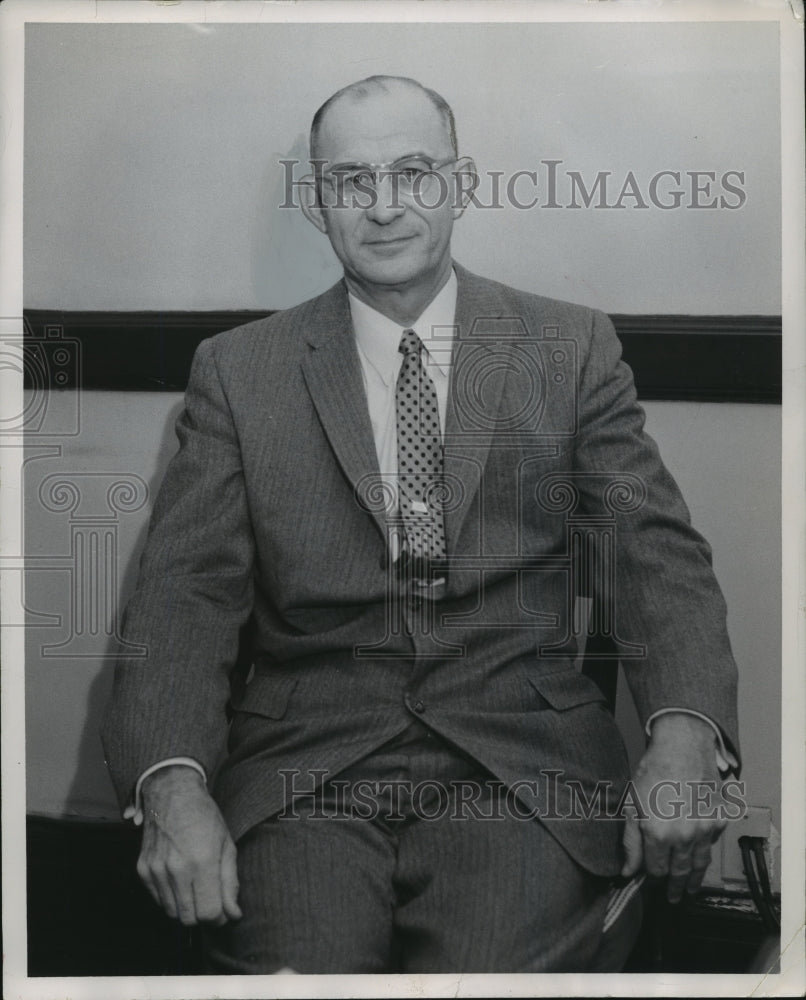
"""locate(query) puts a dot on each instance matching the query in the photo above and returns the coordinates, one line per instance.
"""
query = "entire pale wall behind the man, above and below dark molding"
(152, 180)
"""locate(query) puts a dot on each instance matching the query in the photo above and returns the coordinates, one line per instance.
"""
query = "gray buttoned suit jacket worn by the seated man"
(271, 512)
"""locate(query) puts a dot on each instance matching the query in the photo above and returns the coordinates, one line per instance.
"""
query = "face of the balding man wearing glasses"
(396, 242)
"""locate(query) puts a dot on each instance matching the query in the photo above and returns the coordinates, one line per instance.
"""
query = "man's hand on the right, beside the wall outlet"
(676, 778)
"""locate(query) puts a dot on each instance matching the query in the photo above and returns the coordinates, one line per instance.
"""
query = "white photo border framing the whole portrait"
(790, 981)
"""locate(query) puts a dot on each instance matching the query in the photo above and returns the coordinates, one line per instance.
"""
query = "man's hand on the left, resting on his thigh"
(187, 859)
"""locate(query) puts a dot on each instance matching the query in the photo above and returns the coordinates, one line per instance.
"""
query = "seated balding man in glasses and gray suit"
(380, 482)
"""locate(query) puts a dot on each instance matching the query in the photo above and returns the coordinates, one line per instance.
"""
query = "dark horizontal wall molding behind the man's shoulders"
(697, 358)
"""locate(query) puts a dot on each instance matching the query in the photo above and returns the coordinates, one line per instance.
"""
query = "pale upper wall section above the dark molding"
(152, 155)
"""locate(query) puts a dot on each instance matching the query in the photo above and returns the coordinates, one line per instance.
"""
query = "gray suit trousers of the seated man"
(415, 859)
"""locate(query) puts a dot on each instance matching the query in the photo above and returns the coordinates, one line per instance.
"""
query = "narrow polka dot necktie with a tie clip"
(419, 458)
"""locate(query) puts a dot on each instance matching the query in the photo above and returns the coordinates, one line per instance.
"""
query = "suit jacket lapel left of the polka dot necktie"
(332, 372)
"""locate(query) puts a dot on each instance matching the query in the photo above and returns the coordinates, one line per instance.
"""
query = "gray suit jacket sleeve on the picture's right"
(666, 597)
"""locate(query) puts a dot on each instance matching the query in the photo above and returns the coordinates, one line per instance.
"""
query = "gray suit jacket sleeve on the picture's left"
(194, 593)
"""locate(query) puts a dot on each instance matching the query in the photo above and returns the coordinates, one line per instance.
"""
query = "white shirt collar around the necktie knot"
(378, 337)
